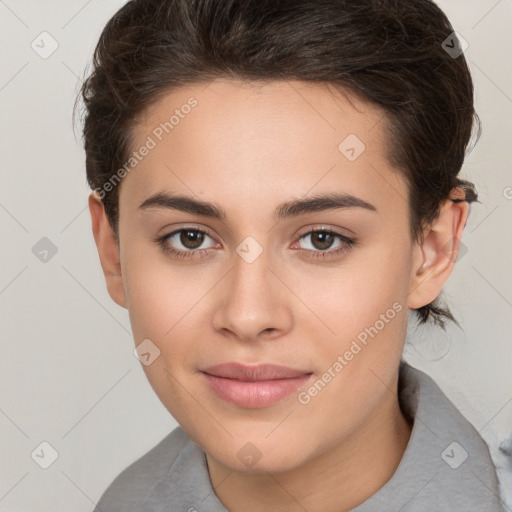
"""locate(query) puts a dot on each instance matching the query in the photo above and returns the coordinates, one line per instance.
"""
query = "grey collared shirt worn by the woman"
(445, 467)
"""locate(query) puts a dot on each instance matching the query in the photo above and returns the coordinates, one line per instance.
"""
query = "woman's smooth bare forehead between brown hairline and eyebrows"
(257, 142)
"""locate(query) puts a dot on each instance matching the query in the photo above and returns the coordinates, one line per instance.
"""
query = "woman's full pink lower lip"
(254, 394)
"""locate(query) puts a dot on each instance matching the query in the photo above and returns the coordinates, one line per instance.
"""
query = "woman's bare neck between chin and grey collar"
(338, 480)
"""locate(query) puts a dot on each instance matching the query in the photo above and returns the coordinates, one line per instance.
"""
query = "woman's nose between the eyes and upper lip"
(254, 303)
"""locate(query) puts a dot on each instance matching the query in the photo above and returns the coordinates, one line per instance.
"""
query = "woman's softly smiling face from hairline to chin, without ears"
(321, 287)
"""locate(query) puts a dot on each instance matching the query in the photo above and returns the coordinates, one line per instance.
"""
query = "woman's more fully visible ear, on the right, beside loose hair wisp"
(435, 257)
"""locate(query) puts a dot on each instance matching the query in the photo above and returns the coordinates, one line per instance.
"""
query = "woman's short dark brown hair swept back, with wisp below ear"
(392, 52)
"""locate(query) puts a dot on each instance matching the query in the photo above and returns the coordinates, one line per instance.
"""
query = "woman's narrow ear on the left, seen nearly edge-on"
(108, 250)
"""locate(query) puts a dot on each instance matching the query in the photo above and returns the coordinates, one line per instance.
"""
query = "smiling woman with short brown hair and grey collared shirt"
(275, 189)
